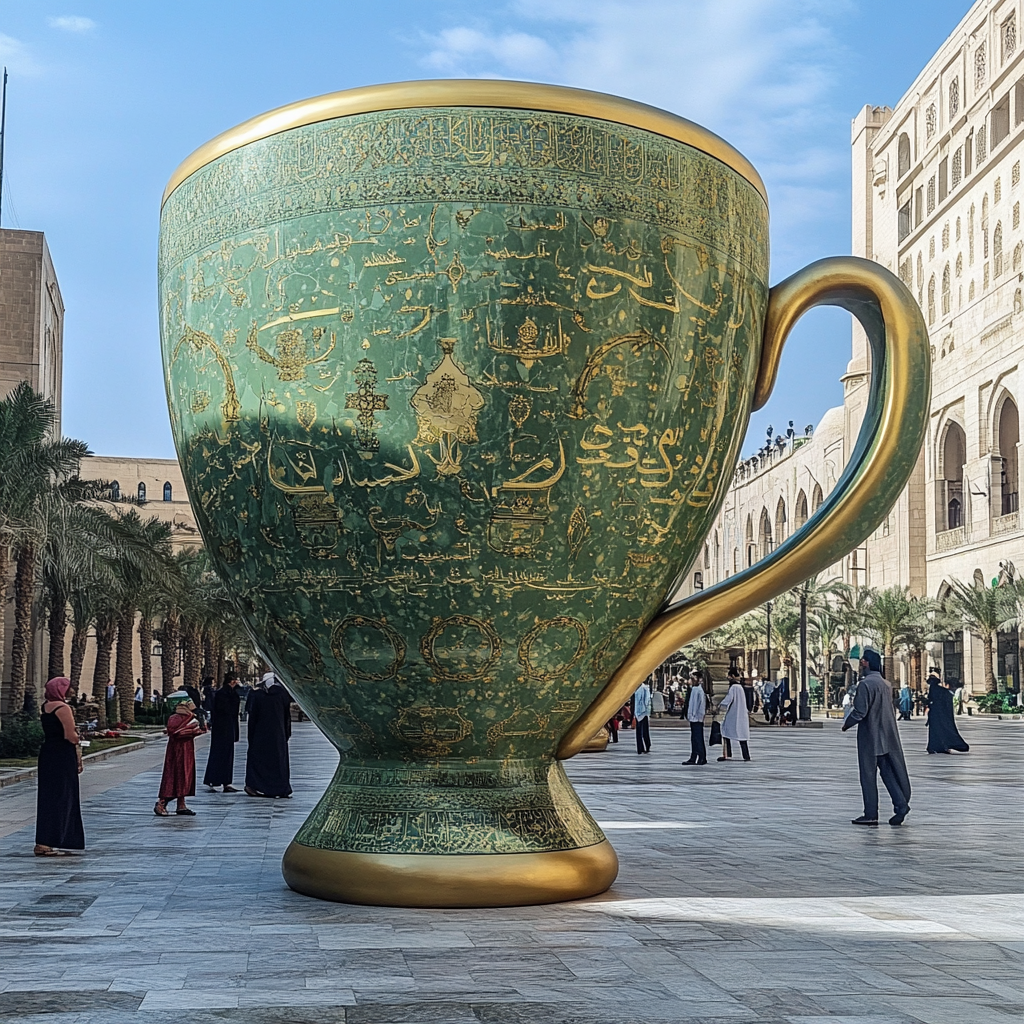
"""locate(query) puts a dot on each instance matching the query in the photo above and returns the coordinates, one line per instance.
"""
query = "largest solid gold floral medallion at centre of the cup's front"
(447, 408)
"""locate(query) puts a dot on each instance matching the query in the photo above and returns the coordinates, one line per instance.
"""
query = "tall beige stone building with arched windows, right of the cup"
(937, 196)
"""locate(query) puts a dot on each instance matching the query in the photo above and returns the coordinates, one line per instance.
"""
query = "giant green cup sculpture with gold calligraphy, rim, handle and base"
(458, 373)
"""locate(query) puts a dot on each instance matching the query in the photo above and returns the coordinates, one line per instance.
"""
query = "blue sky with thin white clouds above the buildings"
(107, 99)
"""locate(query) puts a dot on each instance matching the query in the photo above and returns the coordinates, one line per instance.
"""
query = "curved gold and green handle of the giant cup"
(887, 449)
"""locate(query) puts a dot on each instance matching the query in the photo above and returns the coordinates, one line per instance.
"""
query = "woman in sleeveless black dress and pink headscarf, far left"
(59, 813)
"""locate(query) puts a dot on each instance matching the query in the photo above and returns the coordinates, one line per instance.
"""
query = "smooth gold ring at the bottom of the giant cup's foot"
(452, 880)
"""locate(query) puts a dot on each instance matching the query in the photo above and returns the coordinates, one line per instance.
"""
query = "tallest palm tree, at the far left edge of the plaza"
(31, 461)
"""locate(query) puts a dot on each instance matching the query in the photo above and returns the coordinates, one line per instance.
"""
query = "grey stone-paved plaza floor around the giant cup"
(744, 895)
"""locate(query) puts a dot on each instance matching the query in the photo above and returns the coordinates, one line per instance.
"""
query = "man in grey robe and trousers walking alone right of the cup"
(879, 749)
